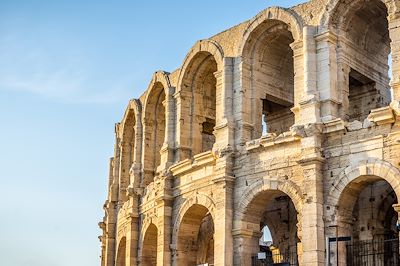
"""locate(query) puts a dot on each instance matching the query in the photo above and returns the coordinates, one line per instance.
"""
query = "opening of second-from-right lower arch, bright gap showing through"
(271, 218)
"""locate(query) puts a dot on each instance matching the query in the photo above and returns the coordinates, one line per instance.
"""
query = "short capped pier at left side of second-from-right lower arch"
(246, 244)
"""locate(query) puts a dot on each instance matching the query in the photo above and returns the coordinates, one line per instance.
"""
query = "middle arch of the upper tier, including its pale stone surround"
(196, 97)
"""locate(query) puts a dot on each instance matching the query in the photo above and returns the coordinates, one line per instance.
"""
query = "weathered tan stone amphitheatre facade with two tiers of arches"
(290, 120)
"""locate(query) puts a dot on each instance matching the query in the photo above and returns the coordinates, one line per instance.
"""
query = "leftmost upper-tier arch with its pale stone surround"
(130, 131)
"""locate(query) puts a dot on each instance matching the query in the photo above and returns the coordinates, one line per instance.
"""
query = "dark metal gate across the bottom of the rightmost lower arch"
(373, 253)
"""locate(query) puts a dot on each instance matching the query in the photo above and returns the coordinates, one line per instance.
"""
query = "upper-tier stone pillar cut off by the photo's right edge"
(394, 32)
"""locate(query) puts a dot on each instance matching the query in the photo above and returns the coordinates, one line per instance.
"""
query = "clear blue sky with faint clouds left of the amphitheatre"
(67, 71)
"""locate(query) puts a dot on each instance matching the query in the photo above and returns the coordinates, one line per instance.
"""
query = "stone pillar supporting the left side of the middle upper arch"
(183, 101)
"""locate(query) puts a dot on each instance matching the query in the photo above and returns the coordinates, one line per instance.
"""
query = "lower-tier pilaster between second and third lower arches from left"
(164, 212)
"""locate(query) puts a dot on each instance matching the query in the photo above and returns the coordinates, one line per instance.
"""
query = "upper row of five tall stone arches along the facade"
(178, 123)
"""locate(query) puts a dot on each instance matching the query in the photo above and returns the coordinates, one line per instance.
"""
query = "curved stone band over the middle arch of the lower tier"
(198, 199)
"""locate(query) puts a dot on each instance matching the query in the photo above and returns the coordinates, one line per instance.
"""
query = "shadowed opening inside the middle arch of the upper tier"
(200, 84)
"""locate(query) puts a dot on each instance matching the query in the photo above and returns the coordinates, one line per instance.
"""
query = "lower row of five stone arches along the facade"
(360, 203)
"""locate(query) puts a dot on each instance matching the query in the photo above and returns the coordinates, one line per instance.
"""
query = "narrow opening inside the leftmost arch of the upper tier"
(127, 152)
